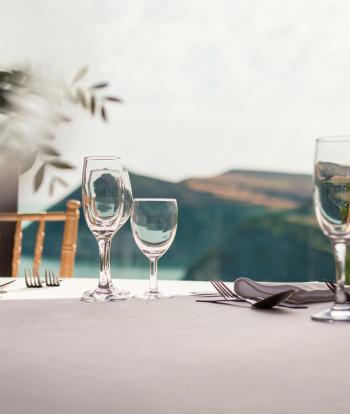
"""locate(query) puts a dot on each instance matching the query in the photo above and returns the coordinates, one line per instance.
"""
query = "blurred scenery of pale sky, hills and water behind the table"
(222, 103)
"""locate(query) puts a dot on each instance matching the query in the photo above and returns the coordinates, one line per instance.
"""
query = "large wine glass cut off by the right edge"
(332, 207)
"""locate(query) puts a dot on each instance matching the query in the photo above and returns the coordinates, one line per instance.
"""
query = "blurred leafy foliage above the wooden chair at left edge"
(21, 91)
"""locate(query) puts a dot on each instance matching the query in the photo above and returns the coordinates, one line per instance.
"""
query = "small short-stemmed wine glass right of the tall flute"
(154, 224)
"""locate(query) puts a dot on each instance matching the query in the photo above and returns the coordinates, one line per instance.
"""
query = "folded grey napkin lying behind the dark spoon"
(308, 292)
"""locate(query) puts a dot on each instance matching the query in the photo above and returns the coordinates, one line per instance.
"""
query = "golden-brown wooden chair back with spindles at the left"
(69, 241)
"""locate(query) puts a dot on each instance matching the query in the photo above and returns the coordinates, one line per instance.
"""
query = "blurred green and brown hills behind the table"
(242, 222)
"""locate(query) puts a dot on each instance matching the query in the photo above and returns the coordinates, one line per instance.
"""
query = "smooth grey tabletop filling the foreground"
(169, 356)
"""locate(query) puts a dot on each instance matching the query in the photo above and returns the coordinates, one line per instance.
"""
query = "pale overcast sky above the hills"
(208, 85)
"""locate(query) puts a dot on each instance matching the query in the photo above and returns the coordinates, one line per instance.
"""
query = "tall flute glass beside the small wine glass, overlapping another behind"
(103, 198)
